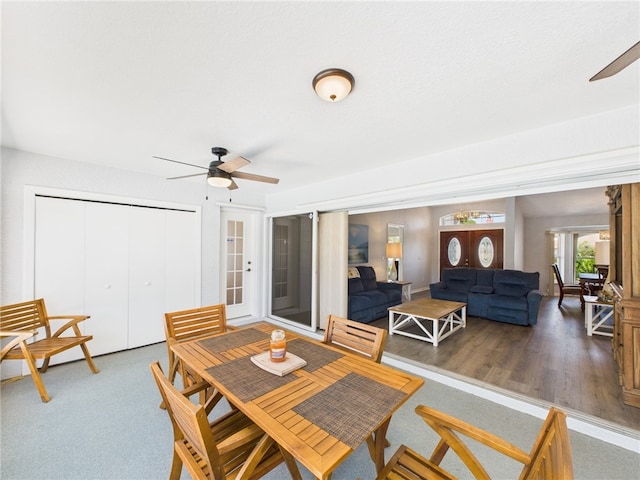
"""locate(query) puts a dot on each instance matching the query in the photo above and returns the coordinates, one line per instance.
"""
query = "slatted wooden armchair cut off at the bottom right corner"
(549, 459)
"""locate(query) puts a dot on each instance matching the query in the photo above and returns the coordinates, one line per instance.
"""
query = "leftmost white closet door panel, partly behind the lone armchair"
(59, 263)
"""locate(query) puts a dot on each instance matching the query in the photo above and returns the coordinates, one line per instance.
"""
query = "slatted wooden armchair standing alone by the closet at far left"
(21, 321)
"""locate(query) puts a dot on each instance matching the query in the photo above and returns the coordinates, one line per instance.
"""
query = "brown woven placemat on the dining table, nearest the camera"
(350, 408)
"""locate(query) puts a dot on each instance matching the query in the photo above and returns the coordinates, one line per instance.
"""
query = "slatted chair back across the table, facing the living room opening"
(356, 337)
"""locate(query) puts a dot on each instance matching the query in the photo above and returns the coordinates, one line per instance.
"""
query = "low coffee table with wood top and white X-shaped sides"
(444, 317)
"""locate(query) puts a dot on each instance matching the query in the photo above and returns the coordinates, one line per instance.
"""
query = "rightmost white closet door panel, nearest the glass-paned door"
(181, 256)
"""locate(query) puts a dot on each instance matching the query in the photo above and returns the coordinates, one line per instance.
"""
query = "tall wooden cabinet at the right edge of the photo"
(625, 274)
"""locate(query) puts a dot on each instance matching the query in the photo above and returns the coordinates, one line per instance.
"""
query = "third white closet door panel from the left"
(146, 276)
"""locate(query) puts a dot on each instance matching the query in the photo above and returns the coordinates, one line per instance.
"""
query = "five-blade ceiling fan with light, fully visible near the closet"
(220, 173)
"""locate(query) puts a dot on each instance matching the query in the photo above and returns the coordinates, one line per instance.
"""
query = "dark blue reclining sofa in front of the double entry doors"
(509, 296)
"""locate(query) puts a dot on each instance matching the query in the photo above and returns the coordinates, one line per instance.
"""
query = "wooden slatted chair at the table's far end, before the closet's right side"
(187, 325)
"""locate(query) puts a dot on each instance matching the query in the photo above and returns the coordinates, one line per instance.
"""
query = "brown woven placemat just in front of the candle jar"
(246, 380)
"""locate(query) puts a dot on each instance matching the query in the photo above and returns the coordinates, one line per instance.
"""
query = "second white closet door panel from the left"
(107, 283)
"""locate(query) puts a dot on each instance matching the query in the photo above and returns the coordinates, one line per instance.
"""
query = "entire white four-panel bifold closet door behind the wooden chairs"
(123, 265)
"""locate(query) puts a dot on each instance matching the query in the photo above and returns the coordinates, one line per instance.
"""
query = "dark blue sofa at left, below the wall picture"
(369, 299)
